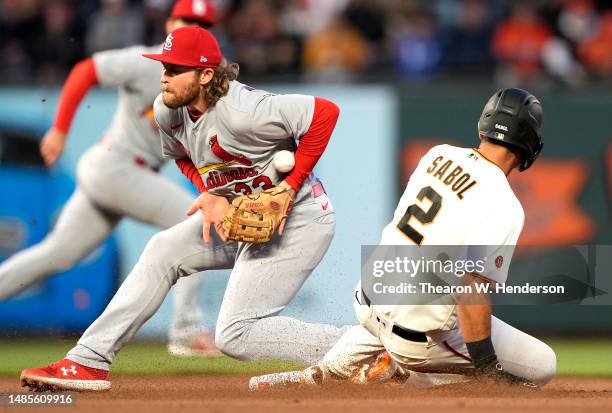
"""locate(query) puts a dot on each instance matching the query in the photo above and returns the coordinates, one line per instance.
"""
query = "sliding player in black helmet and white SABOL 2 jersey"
(456, 196)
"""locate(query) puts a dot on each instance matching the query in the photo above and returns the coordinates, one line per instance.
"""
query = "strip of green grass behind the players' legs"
(575, 358)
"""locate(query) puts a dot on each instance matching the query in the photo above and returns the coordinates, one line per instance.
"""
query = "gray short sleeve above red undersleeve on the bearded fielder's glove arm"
(277, 117)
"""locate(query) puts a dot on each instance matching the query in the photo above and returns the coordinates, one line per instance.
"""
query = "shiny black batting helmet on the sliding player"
(513, 117)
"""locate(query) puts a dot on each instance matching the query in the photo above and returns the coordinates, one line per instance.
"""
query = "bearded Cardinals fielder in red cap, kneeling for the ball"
(225, 133)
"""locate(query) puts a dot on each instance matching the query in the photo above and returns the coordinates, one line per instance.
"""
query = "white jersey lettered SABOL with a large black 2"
(455, 196)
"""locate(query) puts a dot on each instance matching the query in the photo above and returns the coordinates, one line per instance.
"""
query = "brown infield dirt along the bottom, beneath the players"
(230, 394)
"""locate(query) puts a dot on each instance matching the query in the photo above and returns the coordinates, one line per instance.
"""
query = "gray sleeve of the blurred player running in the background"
(121, 66)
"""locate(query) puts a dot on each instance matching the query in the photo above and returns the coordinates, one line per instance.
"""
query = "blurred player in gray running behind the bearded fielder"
(116, 178)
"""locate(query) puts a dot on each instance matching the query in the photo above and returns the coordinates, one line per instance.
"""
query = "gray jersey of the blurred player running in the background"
(138, 81)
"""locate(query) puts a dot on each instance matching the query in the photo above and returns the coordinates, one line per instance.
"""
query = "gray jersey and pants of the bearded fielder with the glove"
(232, 146)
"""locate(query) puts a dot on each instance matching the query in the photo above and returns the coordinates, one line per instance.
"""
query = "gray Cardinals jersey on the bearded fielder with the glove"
(233, 143)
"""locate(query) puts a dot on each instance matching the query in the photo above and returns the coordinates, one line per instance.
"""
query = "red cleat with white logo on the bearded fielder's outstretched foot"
(65, 375)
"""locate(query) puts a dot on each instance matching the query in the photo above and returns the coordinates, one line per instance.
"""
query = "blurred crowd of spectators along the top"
(556, 43)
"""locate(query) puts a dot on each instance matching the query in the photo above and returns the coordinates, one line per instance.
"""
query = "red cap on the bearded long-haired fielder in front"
(190, 46)
